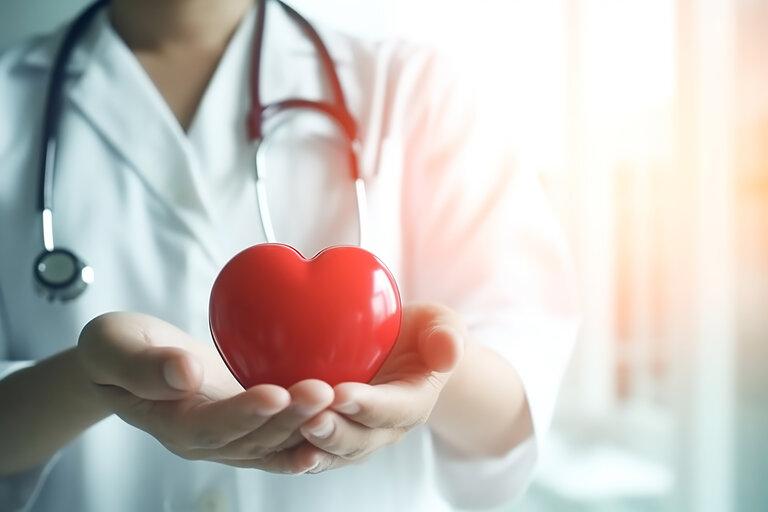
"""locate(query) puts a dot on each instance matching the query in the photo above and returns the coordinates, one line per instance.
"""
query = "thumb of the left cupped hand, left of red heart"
(118, 353)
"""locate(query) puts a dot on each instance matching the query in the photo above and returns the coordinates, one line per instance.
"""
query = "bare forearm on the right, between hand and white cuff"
(482, 411)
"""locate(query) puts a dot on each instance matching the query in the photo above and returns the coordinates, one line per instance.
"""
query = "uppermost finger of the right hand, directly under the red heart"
(394, 405)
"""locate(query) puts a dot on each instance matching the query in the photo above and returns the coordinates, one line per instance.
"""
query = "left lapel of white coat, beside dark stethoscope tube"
(118, 98)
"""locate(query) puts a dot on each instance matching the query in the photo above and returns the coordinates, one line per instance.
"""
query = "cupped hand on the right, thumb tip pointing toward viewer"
(365, 417)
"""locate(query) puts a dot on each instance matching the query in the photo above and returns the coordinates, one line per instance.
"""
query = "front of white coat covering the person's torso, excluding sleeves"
(157, 215)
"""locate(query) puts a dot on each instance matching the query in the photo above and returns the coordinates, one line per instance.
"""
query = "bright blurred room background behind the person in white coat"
(648, 122)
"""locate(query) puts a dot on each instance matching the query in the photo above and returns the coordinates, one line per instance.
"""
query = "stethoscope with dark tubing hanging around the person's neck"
(59, 273)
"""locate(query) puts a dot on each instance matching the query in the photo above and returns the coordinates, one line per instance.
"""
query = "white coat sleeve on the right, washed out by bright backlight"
(481, 239)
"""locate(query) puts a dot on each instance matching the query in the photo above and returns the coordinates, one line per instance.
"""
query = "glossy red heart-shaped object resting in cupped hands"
(278, 318)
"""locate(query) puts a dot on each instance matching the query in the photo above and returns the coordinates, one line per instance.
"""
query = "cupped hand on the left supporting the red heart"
(159, 379)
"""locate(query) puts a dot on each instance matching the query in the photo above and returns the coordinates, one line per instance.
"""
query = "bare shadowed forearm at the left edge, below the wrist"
(42, 408)
